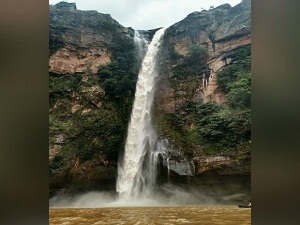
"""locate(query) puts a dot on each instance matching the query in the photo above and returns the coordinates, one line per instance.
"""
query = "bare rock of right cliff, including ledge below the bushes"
(222, 31)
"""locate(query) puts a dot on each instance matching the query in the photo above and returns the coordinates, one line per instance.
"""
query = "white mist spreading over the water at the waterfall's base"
(165, 195)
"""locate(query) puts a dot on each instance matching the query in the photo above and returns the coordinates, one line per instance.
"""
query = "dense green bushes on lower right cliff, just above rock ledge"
(214, 127)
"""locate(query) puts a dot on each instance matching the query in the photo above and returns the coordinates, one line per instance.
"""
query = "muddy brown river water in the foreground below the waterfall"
(200, 215)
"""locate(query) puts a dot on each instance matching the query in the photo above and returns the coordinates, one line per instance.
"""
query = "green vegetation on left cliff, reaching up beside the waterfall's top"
(93, 115)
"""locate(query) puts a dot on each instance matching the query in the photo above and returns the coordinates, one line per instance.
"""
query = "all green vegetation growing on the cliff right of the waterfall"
(212, 127)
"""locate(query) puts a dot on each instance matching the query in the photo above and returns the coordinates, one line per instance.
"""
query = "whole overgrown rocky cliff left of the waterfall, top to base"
(80, 42)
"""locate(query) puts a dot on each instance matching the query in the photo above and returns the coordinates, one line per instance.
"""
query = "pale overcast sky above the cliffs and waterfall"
(147, 14)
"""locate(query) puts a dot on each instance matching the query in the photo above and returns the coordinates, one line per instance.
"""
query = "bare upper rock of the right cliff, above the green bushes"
(221, 31)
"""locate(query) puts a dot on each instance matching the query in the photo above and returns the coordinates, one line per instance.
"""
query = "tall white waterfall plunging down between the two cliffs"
(137, 169)
